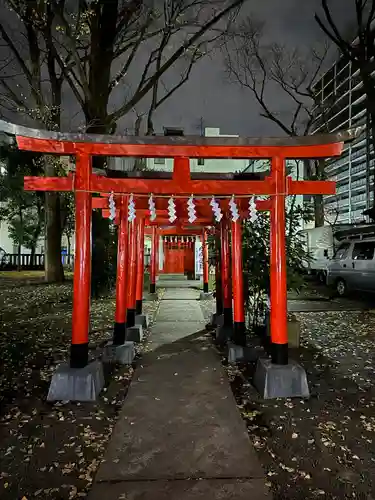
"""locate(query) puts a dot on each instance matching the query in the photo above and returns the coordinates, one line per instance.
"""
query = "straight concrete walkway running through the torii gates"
(179, 435)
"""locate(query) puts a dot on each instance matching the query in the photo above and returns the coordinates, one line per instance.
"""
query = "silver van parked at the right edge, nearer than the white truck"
(353, 265)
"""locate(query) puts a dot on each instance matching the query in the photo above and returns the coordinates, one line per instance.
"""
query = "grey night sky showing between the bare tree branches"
(208, 96)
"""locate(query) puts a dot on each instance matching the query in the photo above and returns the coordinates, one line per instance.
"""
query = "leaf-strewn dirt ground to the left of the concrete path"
(50, 451)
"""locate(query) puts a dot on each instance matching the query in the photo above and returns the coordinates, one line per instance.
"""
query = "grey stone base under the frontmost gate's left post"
(77, 384)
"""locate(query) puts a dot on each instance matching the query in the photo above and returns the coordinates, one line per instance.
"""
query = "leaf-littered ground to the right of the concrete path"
(322, 447)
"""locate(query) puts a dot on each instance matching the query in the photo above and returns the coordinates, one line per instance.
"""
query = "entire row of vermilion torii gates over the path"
(181, 185)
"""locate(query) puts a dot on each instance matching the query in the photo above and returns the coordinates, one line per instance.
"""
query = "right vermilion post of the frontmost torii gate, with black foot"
(279, 329)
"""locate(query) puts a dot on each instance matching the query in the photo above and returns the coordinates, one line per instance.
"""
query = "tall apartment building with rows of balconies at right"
(340, 105)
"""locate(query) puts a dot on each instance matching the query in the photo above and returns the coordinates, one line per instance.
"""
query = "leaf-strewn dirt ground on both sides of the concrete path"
(323, 447)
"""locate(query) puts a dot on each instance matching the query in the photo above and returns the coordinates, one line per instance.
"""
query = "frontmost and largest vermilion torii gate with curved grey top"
(277, 185)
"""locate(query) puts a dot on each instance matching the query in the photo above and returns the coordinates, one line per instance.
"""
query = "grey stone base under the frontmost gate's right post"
(281, 381)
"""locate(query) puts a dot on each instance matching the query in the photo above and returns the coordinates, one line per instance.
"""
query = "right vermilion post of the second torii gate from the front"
(239, 330)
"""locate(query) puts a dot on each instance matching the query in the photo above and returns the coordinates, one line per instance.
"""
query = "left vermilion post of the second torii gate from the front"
(119, 331)
